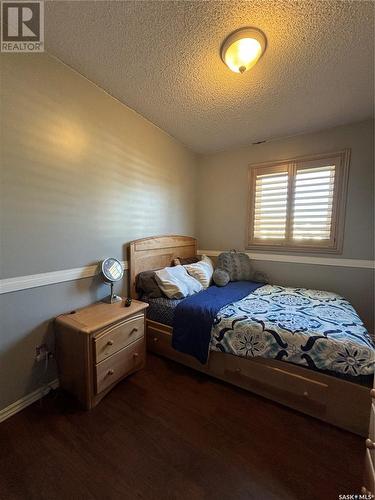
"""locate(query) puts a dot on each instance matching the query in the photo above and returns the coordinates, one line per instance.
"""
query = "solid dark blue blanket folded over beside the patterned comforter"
(195, 315)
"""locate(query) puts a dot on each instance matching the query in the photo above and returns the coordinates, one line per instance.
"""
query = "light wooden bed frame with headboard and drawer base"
(336, 401)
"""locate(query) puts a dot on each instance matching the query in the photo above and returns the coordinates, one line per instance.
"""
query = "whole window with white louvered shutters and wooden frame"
(299, 204)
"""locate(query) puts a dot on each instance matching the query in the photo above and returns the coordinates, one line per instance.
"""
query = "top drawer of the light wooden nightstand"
(112, 340)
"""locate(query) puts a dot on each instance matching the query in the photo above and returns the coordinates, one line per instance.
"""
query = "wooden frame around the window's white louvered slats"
(335, 243)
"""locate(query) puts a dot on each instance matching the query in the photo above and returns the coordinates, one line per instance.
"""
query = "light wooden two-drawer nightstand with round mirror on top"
(98, 346)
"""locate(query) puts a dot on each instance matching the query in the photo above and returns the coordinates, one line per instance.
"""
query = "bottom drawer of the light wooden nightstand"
(110, 370)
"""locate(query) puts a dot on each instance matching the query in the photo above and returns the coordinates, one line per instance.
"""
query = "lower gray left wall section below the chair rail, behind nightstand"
(26, 321)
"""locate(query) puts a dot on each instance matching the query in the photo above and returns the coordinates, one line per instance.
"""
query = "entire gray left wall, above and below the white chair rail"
(82, 175)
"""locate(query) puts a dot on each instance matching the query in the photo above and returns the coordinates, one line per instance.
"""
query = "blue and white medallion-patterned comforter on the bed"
(312, 328)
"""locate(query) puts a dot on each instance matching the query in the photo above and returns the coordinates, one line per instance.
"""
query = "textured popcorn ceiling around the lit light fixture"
(162, 59)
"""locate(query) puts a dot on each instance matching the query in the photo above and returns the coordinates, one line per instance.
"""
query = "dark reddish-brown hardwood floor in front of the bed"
(170, 433)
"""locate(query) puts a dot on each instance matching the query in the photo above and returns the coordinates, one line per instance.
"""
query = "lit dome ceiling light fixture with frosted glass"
(243, 48)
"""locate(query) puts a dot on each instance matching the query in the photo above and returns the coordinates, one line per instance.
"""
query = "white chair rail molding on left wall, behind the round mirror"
(18, 283)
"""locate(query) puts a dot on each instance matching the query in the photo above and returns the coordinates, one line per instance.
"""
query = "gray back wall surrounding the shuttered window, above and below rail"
(222, 210)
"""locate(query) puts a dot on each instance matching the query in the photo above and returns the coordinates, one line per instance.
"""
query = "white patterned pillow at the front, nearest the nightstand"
(176, 283)
